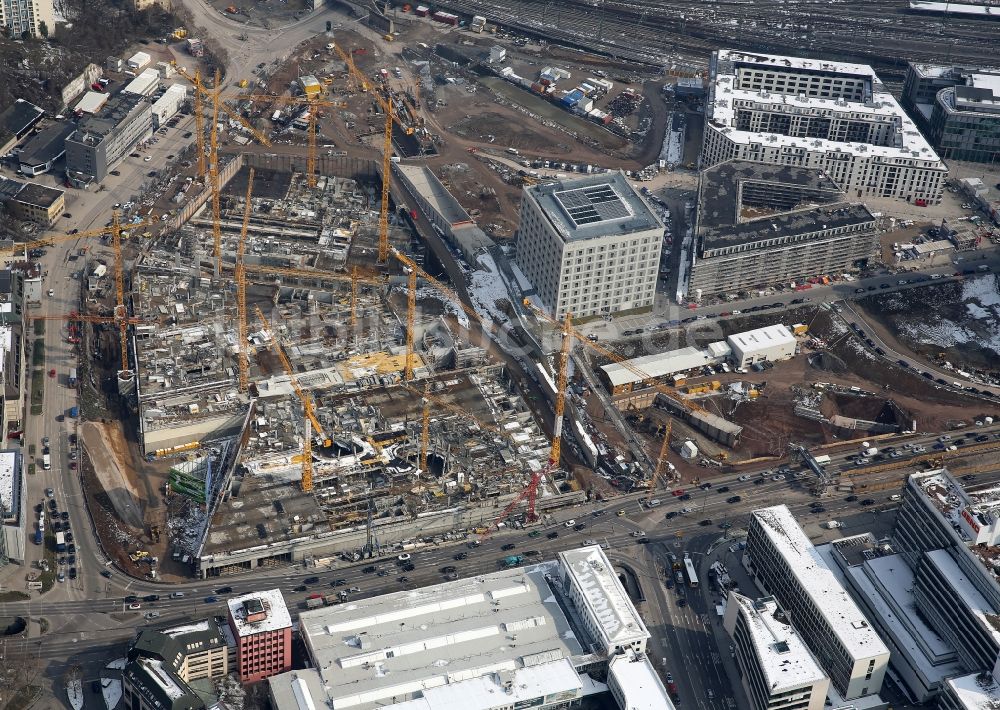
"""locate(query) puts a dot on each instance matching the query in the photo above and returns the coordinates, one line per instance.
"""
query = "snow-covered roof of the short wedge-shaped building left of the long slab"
(782, 657)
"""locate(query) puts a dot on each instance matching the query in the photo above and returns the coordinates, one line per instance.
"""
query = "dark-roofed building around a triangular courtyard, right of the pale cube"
(759, 225)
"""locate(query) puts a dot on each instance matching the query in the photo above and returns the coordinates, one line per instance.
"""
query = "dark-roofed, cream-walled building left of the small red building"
(161, 664)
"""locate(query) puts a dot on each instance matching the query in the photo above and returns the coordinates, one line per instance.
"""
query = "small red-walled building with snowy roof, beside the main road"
(263, 629)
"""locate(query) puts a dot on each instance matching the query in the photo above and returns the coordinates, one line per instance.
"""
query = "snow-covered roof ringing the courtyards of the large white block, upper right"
(909, 143)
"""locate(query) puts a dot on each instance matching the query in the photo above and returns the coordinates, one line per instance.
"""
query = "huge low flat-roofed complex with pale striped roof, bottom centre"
(519, 637)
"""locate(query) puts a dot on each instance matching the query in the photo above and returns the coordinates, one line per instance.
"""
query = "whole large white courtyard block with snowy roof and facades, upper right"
(811, 113)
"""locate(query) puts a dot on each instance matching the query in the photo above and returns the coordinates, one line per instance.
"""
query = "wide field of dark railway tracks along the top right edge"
(662, 32)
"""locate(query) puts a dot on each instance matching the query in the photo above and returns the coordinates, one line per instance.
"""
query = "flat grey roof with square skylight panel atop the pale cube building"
(594, 206)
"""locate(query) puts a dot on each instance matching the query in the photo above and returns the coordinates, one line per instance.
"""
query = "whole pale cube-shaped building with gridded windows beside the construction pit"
(589, 245)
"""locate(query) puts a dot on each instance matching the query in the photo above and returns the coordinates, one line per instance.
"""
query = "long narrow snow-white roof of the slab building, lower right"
(816, 579)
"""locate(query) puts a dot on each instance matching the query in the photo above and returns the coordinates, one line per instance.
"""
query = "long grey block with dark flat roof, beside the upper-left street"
(101, 141)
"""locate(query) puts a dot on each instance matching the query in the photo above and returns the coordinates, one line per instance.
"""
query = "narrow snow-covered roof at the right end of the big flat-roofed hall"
(604, 598)
